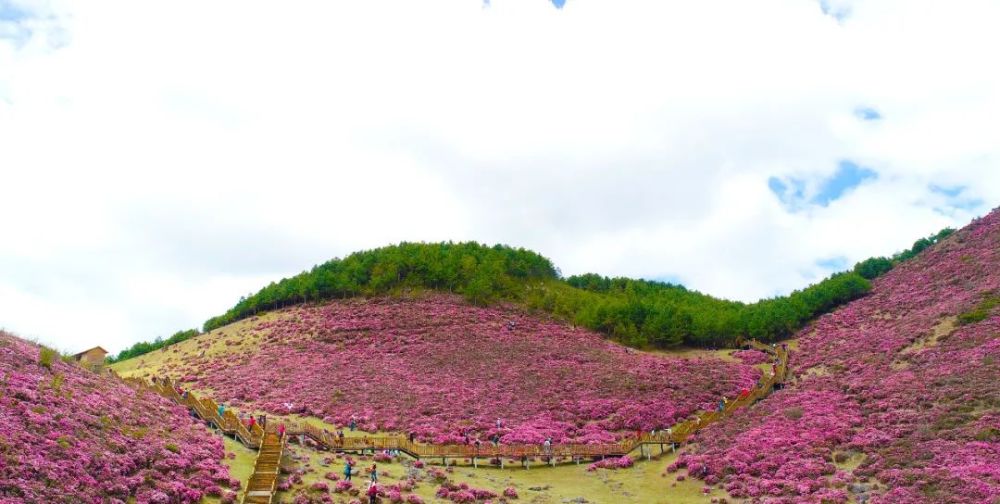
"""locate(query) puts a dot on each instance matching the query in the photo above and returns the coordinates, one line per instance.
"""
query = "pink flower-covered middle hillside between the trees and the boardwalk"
(439, 368)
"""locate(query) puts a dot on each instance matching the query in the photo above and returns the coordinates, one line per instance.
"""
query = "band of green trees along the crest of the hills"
(639, 313)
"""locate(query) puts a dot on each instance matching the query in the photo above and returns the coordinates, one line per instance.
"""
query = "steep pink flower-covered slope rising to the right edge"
(900, 383)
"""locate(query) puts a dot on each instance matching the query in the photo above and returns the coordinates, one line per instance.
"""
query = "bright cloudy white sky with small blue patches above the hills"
(160, 159)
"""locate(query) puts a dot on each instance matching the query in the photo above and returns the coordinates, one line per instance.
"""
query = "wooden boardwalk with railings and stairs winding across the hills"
(262, 484)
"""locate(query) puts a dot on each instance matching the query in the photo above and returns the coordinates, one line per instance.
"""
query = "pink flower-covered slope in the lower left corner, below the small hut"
(70, 435)
